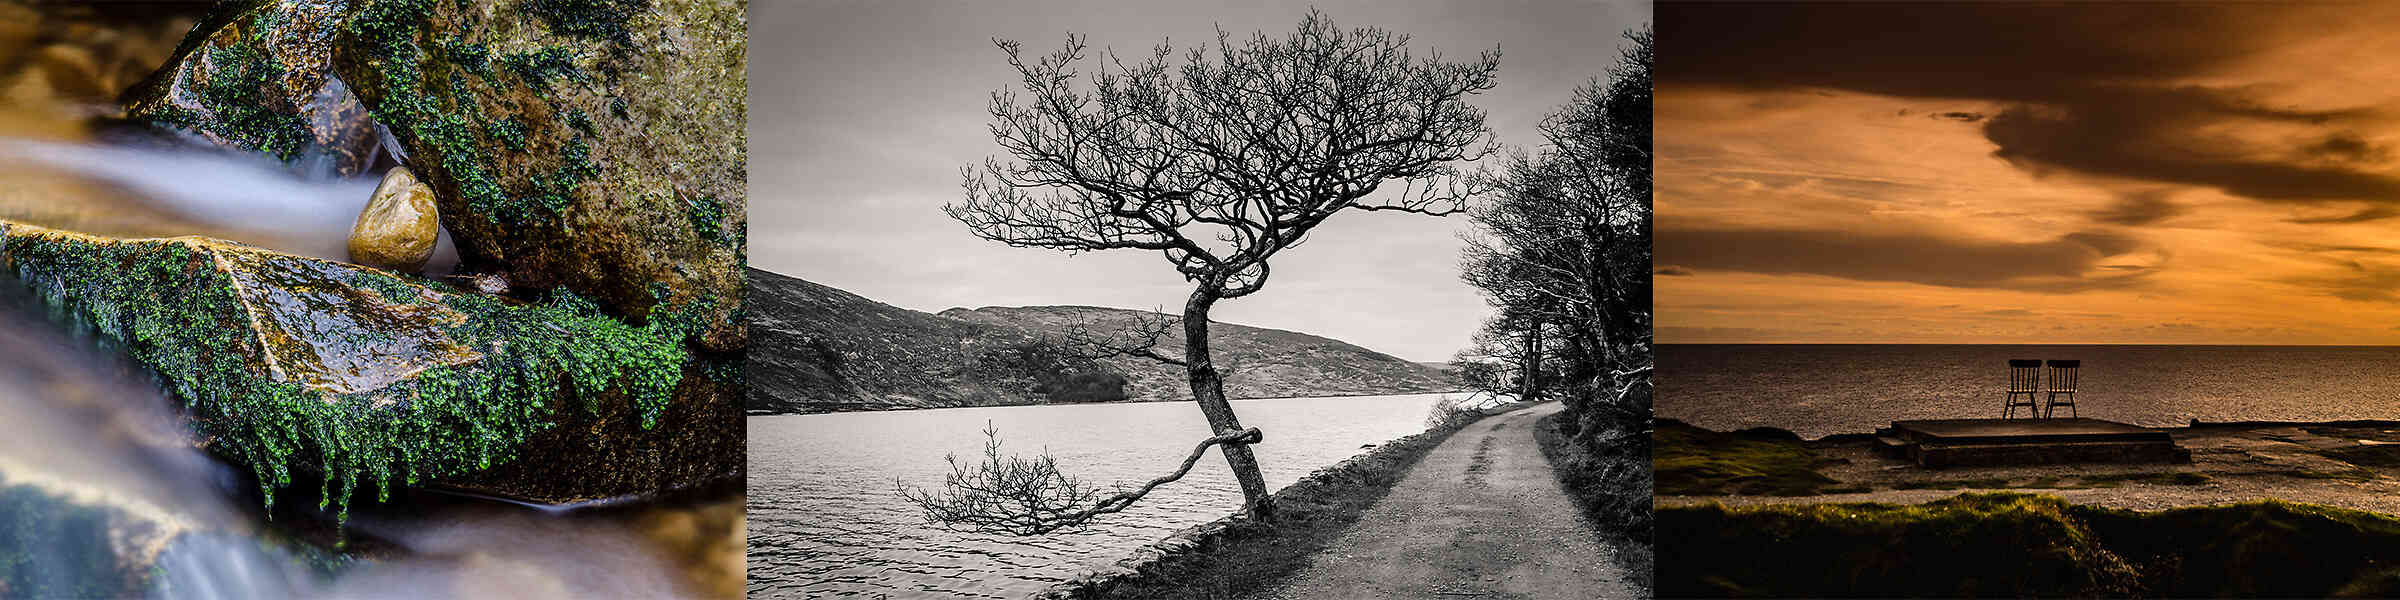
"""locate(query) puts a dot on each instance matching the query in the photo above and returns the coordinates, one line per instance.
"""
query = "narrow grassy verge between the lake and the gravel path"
(1252, 558)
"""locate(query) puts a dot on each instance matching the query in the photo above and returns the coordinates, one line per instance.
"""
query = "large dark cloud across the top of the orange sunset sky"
(2096, 90)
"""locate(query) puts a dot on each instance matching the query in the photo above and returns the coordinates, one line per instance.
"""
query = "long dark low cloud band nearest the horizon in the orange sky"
(2070, 263)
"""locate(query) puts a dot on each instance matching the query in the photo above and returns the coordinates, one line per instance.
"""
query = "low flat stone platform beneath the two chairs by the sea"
(2027, 443)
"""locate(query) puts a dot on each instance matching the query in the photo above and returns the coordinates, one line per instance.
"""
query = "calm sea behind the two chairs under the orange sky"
(1830, 390)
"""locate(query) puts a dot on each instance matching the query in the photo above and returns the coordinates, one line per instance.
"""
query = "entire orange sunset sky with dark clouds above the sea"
(2029, 174)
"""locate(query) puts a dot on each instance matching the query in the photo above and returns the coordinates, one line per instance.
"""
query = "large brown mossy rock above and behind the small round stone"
(587, 145)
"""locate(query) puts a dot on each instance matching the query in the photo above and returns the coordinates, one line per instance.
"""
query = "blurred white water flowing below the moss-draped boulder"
(80, 426)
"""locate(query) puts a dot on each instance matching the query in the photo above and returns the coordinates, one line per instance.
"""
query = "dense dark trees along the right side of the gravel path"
(1566, 253)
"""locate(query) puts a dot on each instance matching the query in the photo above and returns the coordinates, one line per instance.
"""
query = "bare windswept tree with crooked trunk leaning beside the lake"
(1218, 162)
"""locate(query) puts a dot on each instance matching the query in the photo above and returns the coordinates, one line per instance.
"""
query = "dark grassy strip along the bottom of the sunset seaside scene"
(2010, 544)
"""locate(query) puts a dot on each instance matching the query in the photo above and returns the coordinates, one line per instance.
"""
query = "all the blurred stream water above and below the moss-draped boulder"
(104, 491)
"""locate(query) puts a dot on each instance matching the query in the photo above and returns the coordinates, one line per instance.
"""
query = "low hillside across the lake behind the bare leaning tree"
(820, 349)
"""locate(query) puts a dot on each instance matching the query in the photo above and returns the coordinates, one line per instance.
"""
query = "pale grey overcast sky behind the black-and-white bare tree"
(863, 116)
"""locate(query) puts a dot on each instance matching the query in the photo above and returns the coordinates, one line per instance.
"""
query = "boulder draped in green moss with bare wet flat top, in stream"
(373, 380)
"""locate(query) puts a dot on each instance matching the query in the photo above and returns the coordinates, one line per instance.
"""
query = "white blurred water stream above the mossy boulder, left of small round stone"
(308, 215)
